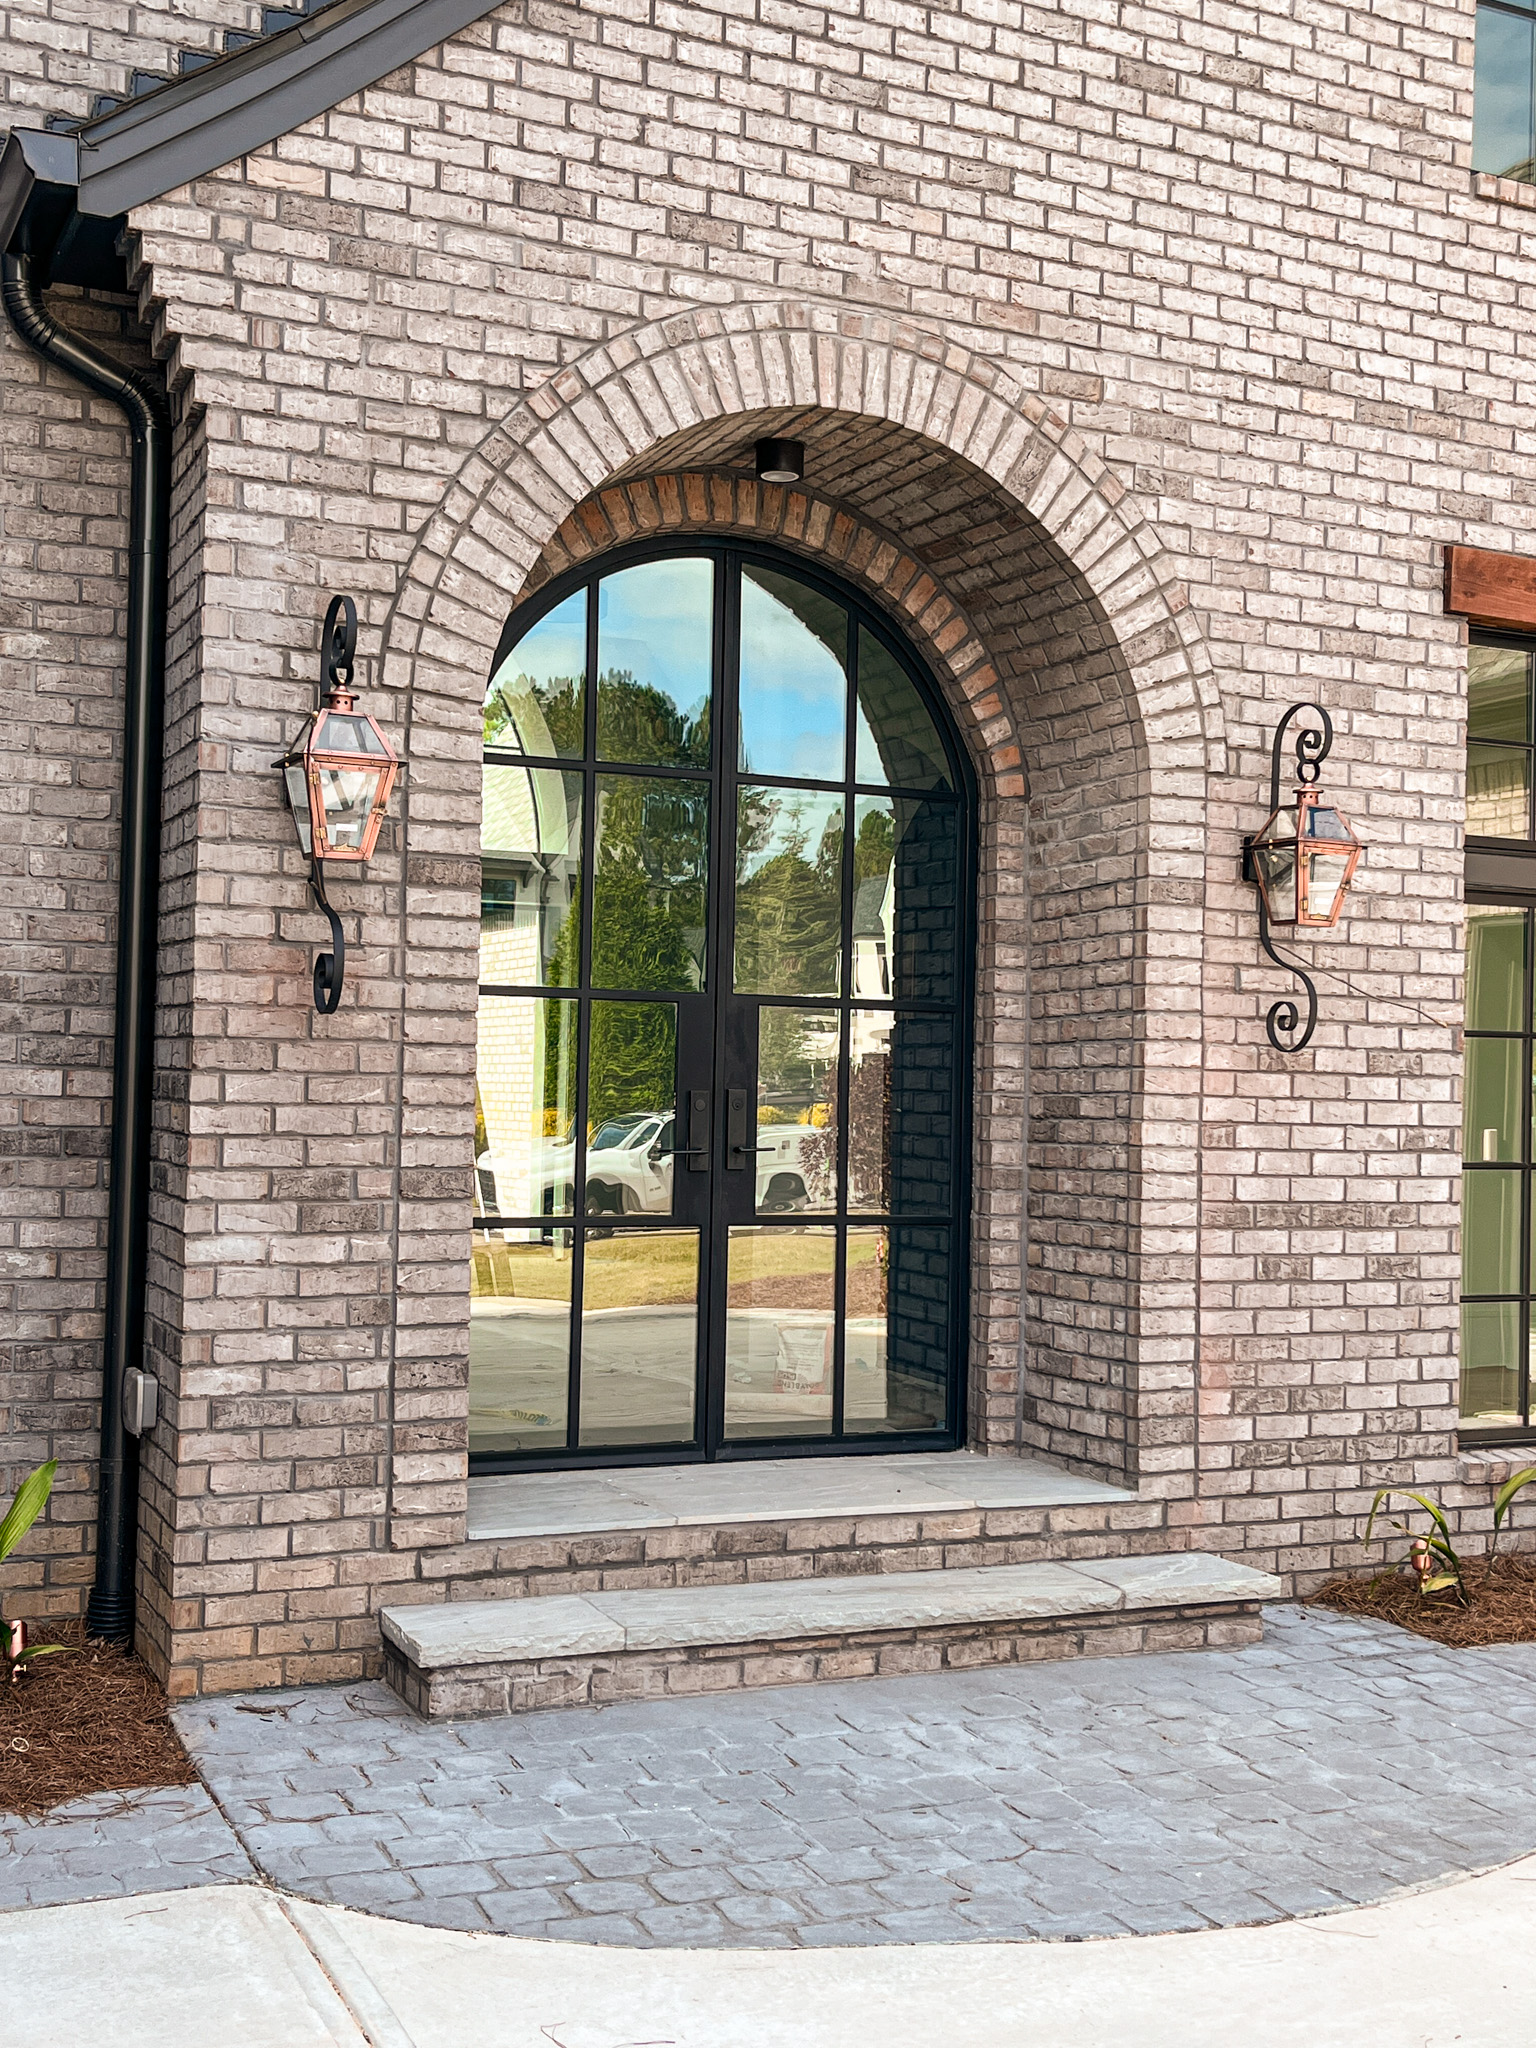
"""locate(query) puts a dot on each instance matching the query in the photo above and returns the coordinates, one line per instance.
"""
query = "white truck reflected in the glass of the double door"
(630, 1172)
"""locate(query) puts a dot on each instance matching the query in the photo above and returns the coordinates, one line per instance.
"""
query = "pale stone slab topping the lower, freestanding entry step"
(472, 1633)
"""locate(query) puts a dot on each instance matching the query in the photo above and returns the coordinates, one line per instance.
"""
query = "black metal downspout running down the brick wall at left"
(112, 1598)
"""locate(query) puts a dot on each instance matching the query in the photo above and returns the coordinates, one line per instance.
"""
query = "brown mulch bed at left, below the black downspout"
(87, 1721)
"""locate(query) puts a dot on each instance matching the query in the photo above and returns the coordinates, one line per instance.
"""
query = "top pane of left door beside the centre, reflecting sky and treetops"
(656, 656)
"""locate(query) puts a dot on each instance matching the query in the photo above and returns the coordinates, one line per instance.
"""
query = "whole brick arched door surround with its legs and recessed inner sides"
(1117, 1283)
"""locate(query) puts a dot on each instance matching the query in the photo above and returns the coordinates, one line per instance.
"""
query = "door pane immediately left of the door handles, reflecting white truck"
(630, 1097)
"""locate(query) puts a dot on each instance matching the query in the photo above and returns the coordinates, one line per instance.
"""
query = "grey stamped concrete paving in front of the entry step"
(1332, 1764)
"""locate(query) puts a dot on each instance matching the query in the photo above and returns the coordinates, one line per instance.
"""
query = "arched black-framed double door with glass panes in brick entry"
(724, 1025)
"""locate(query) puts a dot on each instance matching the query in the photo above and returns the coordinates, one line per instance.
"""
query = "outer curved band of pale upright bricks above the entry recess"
(558, 450)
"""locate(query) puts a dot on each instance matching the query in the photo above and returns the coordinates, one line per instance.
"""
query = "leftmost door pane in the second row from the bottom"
(525, 1107)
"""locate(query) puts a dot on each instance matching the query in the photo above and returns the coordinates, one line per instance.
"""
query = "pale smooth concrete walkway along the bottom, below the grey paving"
(239, 1967)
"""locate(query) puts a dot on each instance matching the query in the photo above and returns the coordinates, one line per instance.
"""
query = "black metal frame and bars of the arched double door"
(728, 1013)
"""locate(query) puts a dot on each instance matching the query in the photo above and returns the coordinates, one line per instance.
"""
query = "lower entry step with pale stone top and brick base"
(587, 1650)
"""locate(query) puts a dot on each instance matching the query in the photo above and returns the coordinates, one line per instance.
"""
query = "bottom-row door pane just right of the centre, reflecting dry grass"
(779, 1332)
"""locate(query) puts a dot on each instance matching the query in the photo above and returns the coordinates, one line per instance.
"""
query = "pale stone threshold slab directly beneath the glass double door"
(517, 1506)
